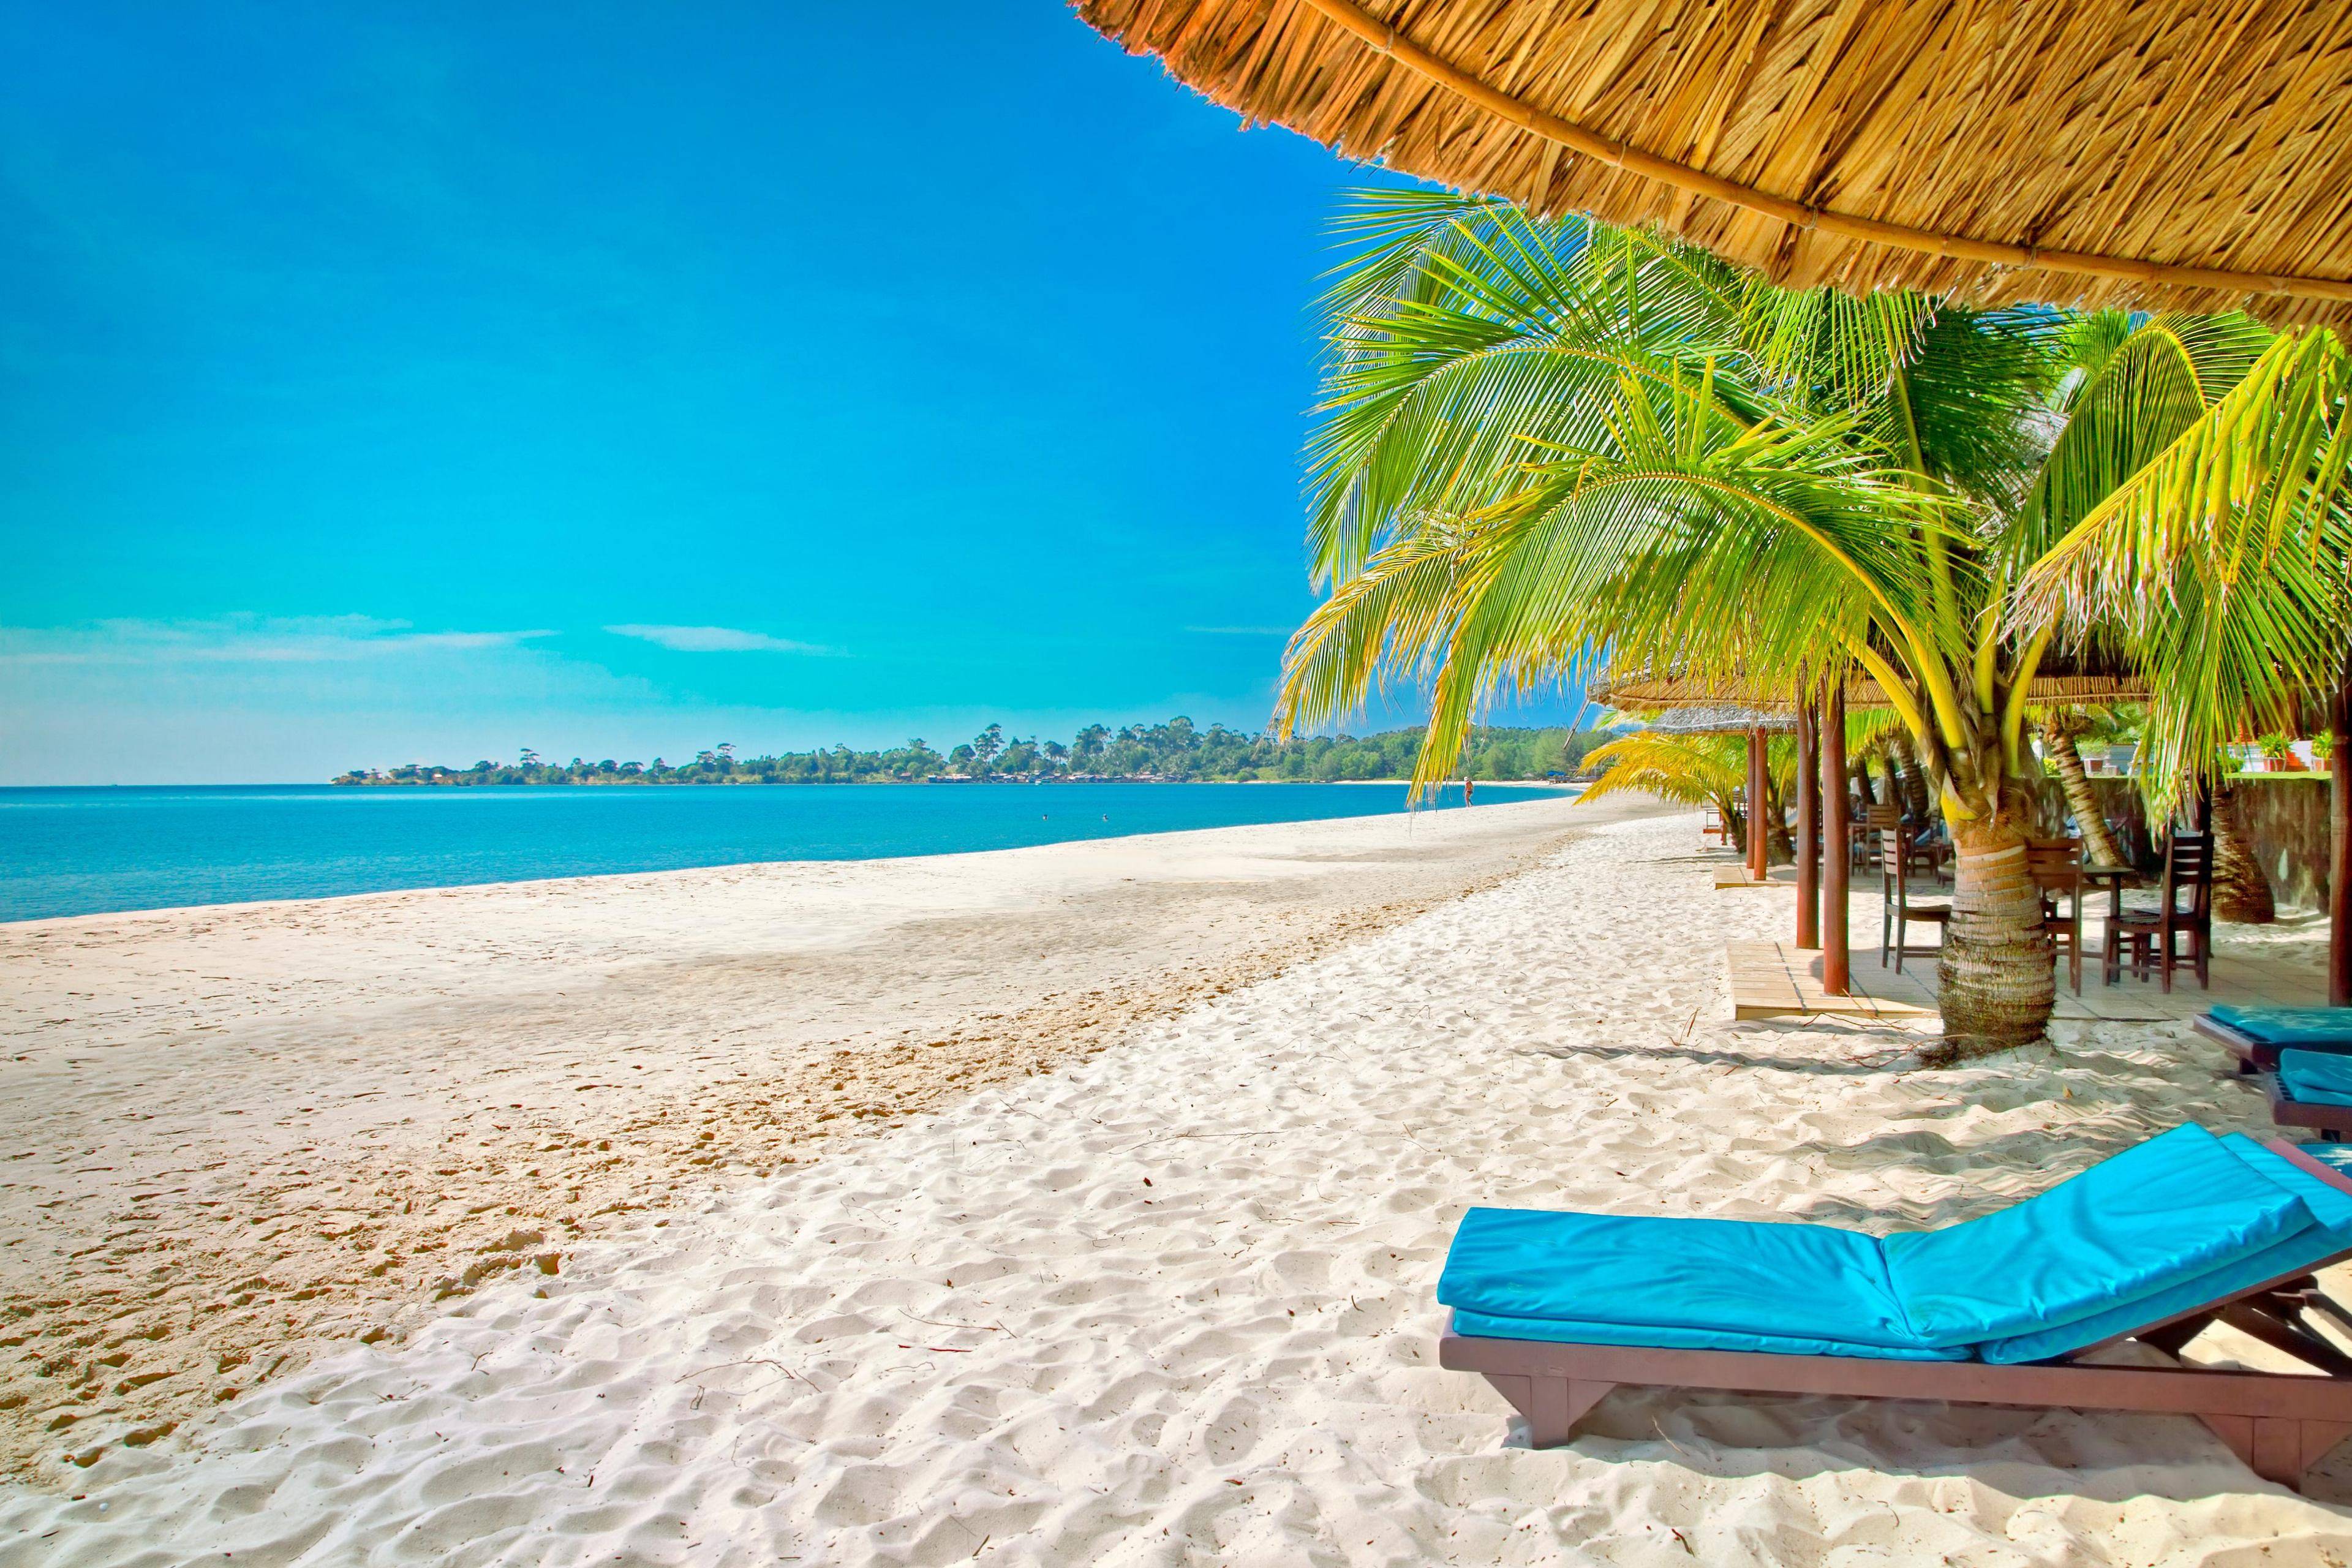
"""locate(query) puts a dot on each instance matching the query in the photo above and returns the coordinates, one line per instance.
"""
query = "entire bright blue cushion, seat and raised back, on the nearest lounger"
(2149, 1235)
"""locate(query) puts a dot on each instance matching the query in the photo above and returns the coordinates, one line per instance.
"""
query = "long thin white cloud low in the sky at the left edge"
(265, 641)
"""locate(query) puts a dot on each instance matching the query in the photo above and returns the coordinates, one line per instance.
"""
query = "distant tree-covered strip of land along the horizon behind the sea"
(1140, 753)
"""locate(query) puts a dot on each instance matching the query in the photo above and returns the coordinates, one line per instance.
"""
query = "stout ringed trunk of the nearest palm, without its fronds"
(1998, 970)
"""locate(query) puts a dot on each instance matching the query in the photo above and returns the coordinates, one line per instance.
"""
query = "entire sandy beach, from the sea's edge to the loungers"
(1161, 1299)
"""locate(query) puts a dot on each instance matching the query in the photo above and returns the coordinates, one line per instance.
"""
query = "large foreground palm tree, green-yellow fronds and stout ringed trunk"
(1551, 438)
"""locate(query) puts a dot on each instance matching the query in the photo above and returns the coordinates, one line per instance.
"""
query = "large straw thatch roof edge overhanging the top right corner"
(2153, 154)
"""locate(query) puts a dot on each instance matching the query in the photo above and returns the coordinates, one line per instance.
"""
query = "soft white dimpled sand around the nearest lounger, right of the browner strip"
(1172, 1306)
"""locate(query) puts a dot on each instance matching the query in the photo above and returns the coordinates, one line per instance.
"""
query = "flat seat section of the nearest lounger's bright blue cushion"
(1735, 1278)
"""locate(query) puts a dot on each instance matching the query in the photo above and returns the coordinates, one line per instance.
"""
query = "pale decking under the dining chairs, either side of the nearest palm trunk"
(1779, 979)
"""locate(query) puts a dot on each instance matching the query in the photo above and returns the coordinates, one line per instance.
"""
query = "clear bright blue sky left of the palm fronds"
(432, 382)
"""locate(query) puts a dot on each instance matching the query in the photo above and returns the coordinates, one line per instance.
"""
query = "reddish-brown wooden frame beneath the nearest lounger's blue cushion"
(2280, 1423)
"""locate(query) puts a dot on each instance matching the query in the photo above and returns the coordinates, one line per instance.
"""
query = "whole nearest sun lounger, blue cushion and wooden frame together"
(2153, 1245)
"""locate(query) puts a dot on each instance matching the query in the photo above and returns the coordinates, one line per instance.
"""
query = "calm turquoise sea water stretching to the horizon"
(88, 852)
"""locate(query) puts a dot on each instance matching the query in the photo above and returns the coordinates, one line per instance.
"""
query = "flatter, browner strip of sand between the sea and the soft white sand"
(248, 1134)
